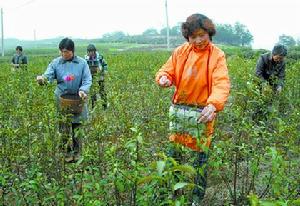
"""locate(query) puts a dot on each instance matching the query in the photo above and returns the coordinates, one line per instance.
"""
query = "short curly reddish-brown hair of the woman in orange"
(195, 22)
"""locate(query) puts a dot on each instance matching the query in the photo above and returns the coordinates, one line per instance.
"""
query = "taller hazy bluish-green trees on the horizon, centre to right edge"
(237, 35)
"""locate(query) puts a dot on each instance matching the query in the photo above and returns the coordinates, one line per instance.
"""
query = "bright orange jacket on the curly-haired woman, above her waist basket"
(200, 76)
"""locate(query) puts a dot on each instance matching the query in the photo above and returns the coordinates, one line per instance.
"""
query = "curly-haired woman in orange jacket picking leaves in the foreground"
(198, 71)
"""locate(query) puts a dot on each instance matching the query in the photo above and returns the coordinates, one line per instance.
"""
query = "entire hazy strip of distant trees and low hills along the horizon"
(227, 34)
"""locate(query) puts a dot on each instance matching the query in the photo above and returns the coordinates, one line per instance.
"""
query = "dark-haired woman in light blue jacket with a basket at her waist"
(73, 77)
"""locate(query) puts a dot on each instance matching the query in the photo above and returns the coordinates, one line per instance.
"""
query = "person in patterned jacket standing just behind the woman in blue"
(94, 59)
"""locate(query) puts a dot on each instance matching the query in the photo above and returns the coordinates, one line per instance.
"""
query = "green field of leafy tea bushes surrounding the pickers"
(254, 161)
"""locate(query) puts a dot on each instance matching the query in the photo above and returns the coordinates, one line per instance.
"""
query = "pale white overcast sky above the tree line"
(266, 19)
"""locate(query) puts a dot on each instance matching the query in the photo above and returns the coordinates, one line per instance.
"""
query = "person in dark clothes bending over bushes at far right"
(270, 68)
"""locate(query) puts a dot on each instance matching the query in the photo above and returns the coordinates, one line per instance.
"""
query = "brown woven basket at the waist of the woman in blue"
(71, 103)
